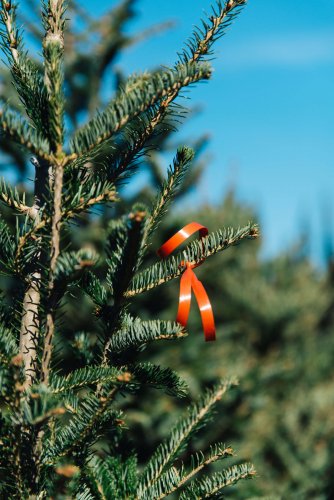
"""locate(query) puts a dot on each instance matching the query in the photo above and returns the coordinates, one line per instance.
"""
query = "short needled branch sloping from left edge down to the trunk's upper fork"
(15, 127)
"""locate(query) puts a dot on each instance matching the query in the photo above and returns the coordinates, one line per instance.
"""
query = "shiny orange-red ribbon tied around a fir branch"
(189, 282)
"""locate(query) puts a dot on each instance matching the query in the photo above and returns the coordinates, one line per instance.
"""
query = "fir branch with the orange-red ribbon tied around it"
(195, 252)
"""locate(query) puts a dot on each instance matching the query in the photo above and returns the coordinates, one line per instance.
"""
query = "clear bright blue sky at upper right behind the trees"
(269, 108)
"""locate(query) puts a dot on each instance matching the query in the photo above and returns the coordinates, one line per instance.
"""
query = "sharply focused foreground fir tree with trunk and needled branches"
(63, 431)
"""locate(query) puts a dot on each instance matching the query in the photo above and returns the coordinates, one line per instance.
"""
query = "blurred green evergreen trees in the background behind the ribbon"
(276, 333)
